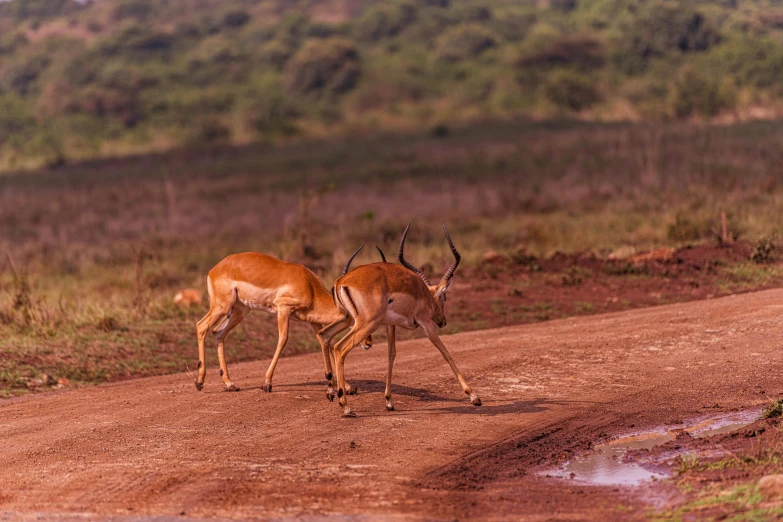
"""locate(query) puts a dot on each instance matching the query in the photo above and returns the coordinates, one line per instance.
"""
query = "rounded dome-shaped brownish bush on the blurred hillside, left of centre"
(328, 66)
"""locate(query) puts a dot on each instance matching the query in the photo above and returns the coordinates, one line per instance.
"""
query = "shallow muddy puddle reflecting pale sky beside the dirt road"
(607, 467)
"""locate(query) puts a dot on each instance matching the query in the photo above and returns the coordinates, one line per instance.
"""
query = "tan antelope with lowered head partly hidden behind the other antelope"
(251, 281)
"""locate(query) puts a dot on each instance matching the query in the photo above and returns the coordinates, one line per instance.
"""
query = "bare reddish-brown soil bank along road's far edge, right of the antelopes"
(524, 289)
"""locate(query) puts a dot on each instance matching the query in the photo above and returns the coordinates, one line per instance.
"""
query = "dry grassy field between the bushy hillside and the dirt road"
(92, 254)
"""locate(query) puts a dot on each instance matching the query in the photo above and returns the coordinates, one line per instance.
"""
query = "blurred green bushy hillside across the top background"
(113, 77)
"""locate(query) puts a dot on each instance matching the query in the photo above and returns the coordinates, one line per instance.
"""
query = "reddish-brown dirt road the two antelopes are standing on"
(157, 449)
